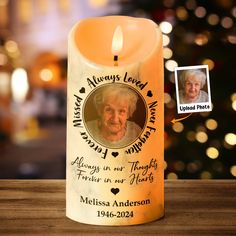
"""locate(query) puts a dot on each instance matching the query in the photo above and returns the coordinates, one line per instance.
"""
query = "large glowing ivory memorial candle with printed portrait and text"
(115, 122)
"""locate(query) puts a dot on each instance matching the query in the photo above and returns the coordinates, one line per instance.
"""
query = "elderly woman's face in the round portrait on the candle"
(115, 112)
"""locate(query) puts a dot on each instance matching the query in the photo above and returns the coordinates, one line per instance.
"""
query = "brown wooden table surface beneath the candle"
(192, 207)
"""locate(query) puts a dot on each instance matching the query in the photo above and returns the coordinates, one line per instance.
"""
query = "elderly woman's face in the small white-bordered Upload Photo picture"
(192, 88)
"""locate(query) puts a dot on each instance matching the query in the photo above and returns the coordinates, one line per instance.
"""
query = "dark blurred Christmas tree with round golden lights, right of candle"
(196, 33)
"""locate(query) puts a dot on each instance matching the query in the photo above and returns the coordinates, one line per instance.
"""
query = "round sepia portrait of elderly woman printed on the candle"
(115, 115)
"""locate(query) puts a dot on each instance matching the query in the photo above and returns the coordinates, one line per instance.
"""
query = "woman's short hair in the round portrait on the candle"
(119, 91)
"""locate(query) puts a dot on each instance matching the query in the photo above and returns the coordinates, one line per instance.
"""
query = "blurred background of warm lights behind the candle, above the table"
(34, 37)
